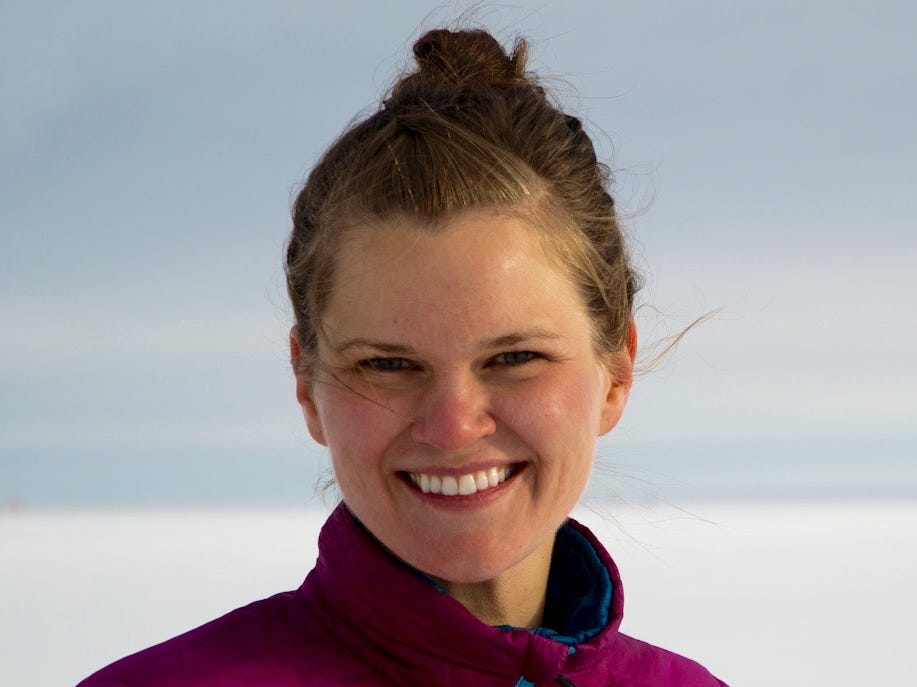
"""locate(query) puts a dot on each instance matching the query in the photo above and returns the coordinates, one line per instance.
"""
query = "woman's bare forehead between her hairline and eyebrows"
(478, 273)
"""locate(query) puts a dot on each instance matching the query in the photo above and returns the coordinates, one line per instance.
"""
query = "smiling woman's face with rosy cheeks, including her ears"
(459, 393)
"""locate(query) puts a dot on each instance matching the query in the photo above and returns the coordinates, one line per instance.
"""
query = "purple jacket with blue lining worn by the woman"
(364, 618)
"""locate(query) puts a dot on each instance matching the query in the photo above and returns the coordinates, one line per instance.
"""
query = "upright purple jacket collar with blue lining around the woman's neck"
(404, 626)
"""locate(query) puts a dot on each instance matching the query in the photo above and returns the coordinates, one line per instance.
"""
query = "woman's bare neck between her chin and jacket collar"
(516, 597)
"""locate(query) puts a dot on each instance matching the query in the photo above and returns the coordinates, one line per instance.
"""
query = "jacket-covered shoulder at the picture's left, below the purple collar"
(278, 641)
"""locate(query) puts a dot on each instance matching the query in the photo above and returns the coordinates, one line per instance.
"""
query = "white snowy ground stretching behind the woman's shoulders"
(796, 595)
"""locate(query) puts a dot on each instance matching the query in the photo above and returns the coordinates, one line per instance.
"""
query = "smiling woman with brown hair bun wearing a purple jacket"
(464, 333)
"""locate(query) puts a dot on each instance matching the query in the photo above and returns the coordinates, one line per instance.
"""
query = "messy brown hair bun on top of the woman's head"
(469, 55)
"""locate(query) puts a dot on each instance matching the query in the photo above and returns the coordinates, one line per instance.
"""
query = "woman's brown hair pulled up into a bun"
(468, 130)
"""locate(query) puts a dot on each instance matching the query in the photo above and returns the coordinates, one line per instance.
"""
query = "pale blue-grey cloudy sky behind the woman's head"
(149, 153)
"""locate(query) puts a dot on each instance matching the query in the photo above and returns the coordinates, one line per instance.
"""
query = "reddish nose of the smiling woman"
(453, 412)
